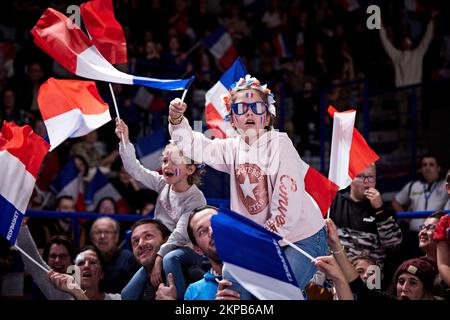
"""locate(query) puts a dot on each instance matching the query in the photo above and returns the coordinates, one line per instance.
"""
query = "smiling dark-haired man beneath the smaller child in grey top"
(147, 236)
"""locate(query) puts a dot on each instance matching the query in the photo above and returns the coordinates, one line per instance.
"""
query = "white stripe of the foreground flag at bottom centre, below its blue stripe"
(273, 289)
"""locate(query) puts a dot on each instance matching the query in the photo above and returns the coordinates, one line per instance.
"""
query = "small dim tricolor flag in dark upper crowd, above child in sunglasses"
(221, 46)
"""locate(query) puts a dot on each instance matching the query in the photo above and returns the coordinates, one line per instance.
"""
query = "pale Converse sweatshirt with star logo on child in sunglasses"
(266, 178)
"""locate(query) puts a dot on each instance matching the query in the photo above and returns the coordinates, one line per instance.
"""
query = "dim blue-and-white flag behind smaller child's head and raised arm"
(149, 149)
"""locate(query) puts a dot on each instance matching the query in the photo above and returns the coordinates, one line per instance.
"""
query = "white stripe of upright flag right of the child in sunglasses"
(341, 143)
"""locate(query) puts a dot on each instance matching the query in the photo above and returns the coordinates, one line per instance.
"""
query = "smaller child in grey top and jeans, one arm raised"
(178, 197)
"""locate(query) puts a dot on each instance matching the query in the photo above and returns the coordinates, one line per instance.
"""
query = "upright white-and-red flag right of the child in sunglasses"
(350, 153)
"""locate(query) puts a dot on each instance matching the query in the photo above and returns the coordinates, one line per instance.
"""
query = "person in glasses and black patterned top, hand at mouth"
(365, 225)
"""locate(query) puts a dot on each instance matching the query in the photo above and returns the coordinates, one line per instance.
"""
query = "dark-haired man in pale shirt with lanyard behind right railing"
(425, 194)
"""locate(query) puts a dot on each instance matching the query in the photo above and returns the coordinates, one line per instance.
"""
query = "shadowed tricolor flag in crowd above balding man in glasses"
(100, 187)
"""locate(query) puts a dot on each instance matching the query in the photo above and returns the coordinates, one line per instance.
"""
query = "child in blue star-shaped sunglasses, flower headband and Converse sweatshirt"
(266, 172)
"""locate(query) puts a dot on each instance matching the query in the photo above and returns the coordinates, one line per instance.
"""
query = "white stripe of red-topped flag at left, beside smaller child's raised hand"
(65, 125)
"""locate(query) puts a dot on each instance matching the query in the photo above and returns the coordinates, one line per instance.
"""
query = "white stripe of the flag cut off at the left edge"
(17, 183)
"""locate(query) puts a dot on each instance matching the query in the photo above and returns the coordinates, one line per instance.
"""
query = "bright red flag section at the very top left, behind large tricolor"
(107, 34)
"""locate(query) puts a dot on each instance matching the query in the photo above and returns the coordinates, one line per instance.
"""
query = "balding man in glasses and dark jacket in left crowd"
(120, 264)
